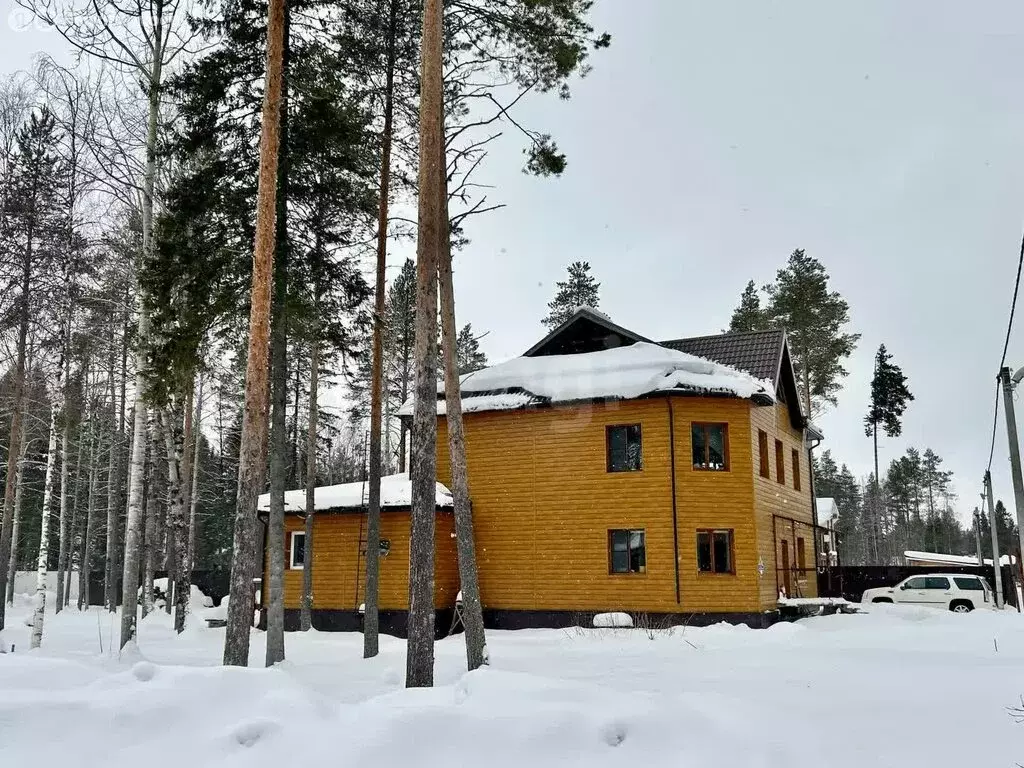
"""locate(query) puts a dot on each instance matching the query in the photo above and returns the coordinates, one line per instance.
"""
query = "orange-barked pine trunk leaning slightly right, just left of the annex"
(252, 451)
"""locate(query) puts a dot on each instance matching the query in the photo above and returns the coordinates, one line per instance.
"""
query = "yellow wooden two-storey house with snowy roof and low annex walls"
(610, 473)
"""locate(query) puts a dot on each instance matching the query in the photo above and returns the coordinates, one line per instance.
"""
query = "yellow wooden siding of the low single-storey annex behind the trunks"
(339, 574)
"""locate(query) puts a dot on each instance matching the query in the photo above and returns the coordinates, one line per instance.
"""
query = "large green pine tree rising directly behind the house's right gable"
(816, 319)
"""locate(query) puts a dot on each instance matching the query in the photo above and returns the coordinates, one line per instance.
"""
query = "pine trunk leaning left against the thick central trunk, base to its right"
(473, 611)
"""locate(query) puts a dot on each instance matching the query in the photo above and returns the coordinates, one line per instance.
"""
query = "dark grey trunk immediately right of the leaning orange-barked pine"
(275, 589)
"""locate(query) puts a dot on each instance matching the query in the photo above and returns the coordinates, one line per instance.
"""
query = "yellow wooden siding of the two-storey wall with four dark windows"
(544, 503)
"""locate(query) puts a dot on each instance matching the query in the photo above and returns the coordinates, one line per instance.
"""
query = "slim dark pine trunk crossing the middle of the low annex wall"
(371, 619)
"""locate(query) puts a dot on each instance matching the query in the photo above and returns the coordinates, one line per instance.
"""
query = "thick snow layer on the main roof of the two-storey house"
(621, 373)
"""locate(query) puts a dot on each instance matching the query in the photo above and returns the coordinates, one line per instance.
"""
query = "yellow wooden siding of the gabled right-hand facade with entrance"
(783, 500)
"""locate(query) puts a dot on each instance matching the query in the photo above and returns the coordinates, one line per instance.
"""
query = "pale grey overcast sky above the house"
(713, 139)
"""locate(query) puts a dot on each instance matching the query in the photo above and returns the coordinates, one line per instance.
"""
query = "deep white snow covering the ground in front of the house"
(901, 687)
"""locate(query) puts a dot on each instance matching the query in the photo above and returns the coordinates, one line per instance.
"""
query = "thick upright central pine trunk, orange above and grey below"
(420, 659)
